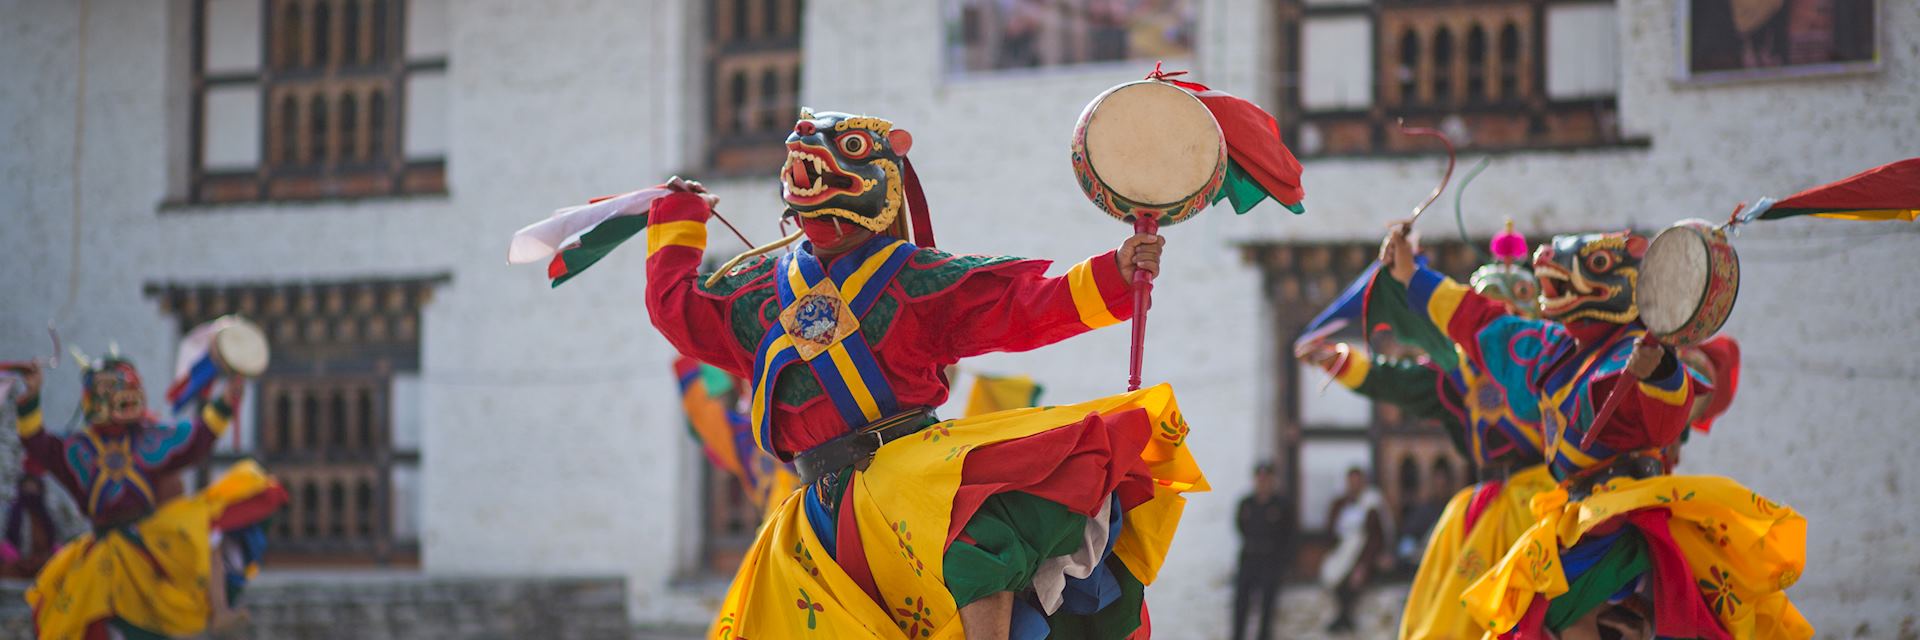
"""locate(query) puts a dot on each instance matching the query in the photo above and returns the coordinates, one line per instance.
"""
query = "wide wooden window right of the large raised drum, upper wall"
(1474, 68)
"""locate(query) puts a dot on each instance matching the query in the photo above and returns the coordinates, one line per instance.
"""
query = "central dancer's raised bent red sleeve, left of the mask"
(694, 322)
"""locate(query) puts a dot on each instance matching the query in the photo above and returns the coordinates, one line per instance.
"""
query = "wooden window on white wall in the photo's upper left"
(327, 93)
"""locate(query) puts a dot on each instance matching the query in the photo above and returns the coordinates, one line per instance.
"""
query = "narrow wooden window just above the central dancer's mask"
(754, 61)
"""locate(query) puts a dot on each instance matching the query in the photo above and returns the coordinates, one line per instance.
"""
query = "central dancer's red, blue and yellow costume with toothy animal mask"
(1068, 506)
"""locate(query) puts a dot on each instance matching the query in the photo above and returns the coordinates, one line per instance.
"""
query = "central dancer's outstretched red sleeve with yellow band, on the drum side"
(1019, 310)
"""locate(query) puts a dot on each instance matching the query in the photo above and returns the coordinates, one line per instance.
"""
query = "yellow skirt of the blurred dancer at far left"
(158, 583)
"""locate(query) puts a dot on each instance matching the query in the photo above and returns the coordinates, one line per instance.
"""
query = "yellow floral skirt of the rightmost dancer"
(1742, 549)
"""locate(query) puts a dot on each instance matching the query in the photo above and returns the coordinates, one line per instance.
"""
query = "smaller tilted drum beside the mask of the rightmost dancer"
(1689, 283)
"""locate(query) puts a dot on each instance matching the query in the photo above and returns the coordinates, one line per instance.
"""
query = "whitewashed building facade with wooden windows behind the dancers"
(354, 187)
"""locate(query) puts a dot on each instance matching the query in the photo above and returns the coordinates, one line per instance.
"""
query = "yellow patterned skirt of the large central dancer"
(788, 587)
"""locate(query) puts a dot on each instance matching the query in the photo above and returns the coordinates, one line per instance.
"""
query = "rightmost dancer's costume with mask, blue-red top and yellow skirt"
(1706, 556)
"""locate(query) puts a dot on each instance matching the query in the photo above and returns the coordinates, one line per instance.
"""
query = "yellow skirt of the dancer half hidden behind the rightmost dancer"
(1456, 556)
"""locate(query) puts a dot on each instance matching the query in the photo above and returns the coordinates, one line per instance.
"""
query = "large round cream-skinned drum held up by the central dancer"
(1155, 151)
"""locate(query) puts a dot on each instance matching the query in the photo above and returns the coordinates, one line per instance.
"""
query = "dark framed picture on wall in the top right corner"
(1762, 39)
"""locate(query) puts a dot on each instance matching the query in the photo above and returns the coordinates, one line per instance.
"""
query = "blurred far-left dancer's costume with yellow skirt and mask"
(145, 568)
